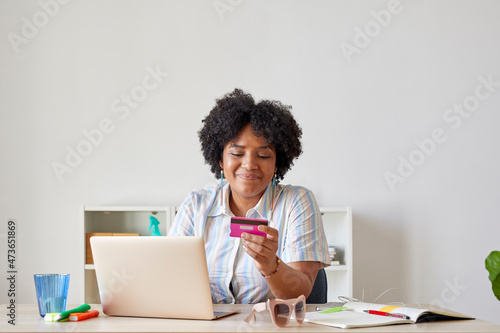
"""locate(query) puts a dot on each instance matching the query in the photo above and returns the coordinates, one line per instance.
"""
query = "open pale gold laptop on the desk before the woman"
(160, 277)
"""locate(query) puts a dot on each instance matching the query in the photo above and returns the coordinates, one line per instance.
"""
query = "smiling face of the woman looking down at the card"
(249, 163)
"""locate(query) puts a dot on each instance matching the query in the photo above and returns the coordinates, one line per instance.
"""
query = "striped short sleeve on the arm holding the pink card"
(305, 238)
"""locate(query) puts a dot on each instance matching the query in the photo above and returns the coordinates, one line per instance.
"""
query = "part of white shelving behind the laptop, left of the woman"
(117, 219)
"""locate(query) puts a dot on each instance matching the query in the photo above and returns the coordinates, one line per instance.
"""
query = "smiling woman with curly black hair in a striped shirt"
(250, 147)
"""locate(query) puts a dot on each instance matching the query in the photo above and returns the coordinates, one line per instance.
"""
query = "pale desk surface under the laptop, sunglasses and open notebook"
(28, 320)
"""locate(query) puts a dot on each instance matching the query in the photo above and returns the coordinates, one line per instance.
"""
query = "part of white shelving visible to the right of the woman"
(337, 222)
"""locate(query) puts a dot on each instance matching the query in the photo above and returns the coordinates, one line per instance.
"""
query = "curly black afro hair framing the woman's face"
(270, 119)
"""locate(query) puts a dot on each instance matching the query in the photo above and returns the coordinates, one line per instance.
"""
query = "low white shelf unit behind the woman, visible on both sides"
(337, 222)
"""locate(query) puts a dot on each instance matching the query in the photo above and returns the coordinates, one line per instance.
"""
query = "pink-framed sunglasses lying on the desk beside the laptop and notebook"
(281, 310)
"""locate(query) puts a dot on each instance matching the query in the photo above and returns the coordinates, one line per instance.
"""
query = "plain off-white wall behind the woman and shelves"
(361, 115)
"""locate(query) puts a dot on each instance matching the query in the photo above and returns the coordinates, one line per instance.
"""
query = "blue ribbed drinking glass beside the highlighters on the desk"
(51, 292)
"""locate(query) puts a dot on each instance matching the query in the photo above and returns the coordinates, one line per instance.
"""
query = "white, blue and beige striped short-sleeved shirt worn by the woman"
(232, 273)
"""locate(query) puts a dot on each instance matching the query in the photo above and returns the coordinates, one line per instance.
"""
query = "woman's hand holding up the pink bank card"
(262, 249)
